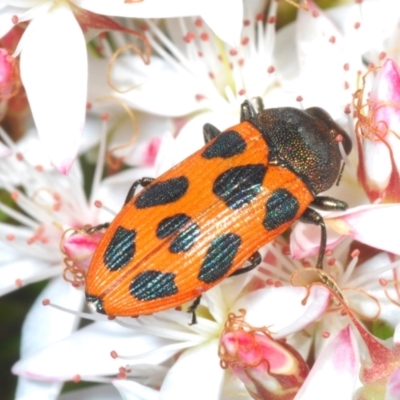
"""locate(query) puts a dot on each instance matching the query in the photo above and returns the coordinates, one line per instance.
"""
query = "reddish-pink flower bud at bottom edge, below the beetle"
(269, 368)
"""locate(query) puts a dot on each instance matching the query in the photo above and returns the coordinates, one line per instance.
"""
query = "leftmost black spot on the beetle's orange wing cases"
(121, 249)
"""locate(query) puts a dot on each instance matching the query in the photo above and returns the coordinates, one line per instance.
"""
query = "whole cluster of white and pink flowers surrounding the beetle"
(95, 95)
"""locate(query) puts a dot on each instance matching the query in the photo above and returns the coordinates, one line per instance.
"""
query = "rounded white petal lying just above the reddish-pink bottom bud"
(281, 308)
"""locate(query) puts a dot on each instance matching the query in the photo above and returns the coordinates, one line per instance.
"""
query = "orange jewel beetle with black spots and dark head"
(199, 222)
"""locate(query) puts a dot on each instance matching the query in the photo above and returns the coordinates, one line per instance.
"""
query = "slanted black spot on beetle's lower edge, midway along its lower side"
(219, 257)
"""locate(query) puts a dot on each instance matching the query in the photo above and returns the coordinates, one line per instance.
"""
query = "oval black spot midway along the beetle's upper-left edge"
(161, 193)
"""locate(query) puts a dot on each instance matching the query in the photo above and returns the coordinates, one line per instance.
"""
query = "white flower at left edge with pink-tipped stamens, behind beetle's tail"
(46, 204)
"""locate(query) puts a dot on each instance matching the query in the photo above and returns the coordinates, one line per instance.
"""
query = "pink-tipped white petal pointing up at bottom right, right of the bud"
(334, 374)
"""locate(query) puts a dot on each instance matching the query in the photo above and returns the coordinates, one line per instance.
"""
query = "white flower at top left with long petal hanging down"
(54, 57)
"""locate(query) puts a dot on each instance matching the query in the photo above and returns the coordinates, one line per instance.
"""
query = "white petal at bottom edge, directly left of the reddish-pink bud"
(182, 380)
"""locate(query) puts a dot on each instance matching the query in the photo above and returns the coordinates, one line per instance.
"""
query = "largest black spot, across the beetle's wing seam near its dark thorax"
(239, 185)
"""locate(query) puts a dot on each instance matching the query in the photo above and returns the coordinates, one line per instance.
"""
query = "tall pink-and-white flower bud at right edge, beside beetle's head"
(379, 135)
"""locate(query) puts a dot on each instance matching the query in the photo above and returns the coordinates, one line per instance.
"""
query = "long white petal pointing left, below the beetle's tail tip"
(87, 353)
